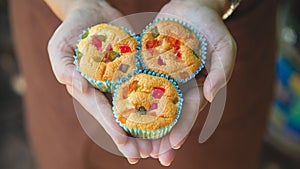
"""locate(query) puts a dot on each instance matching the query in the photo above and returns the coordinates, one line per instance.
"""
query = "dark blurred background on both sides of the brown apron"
(282, 144)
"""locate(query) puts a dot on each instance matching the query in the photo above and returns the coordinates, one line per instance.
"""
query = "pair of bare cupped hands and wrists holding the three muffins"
(204, 14)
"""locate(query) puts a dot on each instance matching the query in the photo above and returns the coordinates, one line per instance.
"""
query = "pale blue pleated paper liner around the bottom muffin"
(150, 134)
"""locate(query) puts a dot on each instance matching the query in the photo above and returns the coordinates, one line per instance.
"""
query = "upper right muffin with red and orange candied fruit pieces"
(172, 48)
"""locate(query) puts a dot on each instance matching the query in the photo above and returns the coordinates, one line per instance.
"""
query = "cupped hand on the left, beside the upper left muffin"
(77, 17)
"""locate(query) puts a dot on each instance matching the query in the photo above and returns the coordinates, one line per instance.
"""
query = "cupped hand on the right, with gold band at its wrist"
(205, 16)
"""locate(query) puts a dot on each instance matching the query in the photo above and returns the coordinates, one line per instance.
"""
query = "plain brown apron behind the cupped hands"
(59, 142)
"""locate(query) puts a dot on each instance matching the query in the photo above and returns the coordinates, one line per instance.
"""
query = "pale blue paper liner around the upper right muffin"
(201, 38)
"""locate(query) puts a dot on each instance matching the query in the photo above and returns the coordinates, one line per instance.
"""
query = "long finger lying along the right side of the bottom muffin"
(193, 103)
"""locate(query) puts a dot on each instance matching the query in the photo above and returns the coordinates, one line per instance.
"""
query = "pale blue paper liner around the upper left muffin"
(106, 85)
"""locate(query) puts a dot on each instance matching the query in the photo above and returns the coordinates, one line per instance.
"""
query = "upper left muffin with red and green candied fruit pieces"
(105, 54)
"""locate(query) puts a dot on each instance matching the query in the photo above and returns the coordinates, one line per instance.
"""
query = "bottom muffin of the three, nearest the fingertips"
(147, 105)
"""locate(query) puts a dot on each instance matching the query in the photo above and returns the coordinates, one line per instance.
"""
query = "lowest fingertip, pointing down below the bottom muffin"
(166, 153)
